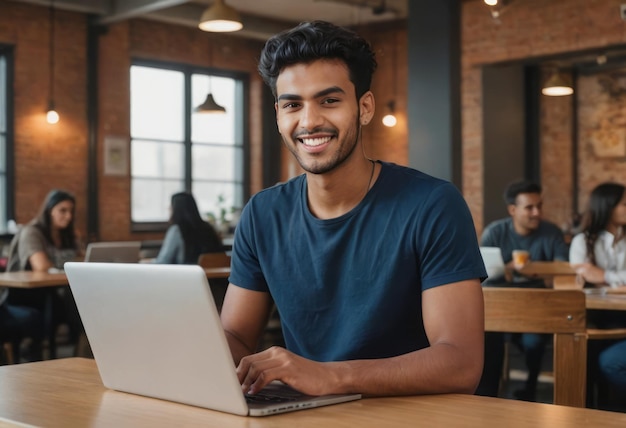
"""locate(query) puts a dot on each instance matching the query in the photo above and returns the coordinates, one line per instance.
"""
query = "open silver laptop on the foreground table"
(154, 330)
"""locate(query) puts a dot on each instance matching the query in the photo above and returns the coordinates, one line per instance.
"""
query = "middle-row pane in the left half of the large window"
(150, 159)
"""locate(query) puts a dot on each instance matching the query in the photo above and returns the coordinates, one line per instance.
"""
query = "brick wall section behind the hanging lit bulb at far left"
(47, 156)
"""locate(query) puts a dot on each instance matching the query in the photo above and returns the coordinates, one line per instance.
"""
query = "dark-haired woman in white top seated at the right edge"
(598, 254)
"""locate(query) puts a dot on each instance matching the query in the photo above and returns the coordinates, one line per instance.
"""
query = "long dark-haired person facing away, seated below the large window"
(188, 235)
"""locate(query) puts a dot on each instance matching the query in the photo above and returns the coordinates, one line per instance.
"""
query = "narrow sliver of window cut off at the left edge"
(6, 201)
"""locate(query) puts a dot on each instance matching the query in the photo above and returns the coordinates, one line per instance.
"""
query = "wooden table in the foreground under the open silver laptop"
(68, 392)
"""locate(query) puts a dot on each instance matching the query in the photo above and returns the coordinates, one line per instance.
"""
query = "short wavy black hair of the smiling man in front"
(310, 41)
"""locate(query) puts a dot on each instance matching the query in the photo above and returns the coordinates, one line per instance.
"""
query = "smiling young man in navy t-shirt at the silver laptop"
(374, 268)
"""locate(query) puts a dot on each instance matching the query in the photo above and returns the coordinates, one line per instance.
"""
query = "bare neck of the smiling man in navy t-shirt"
(335, 193)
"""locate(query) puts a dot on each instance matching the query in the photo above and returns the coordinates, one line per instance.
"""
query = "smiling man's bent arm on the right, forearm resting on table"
(454, 323)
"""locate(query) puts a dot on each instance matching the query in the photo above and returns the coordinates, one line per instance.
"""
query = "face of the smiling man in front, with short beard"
(317, 113)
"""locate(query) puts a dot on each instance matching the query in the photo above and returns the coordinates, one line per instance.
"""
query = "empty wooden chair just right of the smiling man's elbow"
(558, 312)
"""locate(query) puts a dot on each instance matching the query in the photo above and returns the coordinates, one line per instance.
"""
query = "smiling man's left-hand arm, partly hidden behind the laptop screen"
(244, 317)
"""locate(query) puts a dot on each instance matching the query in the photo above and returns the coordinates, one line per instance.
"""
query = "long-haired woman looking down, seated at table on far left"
(45, 244)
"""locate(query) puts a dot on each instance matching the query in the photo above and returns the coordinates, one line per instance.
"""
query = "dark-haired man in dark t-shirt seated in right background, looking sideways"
(524, 229)
